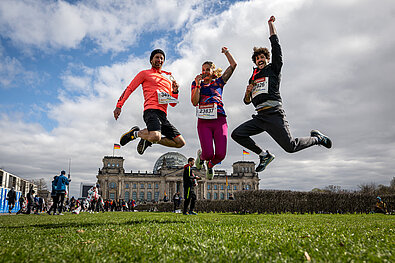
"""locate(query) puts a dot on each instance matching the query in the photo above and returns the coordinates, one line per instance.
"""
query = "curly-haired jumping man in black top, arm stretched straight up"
(264, 93)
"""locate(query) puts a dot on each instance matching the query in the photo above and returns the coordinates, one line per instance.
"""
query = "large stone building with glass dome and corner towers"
(166, 180)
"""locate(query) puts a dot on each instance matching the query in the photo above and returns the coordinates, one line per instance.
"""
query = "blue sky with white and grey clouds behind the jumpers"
(64, 64)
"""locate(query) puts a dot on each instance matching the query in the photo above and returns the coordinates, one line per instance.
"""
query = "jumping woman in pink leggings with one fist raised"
(206, 94)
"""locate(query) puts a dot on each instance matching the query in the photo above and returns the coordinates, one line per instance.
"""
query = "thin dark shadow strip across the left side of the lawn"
(89, 224)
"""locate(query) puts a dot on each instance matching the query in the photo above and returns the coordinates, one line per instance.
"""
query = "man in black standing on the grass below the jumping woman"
(190, 181)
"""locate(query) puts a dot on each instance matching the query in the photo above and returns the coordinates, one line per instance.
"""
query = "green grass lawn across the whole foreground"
(168, 237)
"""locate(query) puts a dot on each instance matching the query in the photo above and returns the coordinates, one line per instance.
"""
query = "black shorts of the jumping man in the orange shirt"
(156, 120)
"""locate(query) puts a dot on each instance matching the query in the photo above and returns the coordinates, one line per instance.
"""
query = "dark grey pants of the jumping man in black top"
(273, 121)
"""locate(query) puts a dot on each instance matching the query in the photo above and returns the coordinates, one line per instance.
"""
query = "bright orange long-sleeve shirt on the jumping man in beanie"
(152, 81)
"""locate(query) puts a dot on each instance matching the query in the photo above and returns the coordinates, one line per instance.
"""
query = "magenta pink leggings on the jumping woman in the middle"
(209, 131)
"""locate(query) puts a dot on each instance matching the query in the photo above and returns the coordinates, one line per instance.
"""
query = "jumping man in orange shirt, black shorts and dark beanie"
(158, 92)
